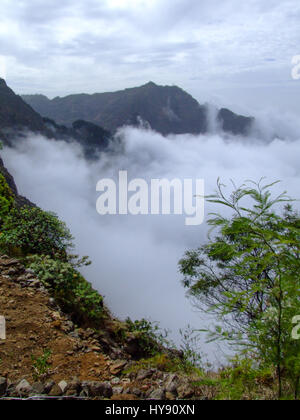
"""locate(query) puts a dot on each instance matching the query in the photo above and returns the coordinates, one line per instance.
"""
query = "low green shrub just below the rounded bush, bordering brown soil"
(71, 291)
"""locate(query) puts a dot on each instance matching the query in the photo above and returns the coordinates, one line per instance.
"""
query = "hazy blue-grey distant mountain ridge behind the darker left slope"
(166, 109)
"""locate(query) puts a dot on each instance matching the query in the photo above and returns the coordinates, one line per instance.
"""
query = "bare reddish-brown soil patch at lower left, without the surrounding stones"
(30, 330)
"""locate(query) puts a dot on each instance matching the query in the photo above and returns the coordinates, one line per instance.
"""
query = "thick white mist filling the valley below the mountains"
(135, 258)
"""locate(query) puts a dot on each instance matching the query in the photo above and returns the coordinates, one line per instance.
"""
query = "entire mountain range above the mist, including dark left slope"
(80, 118)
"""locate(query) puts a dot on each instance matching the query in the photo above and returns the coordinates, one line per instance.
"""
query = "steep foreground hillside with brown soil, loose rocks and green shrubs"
(61, 341)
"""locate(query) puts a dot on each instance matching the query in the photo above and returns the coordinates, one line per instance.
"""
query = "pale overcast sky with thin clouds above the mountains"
(231, 52)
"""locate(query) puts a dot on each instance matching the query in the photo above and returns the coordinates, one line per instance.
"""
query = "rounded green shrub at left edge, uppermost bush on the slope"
(34, 231)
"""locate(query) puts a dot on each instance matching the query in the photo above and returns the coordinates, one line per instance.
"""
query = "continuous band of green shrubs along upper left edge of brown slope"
(43, 242)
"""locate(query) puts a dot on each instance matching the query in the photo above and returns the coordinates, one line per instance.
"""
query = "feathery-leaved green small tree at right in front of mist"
(248, 275)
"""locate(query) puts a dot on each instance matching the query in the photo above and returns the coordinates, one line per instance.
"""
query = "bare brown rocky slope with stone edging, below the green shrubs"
(81, 363)
